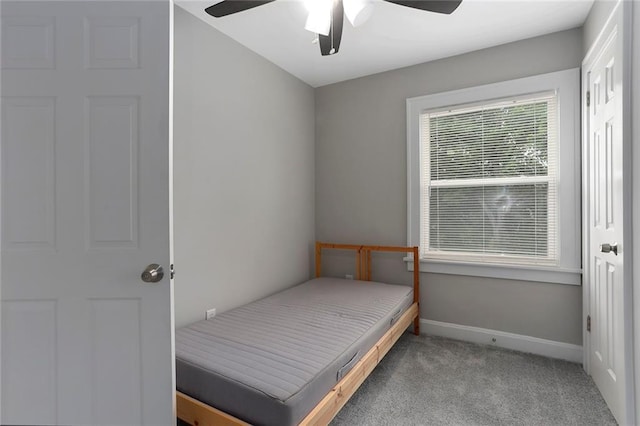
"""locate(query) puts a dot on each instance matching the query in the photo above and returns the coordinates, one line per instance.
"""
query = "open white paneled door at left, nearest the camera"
(85, 208)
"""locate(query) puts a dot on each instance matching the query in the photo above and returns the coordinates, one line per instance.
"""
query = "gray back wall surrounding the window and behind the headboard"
(361, 184)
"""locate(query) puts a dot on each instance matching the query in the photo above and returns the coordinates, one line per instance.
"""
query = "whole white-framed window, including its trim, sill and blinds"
(485, 194)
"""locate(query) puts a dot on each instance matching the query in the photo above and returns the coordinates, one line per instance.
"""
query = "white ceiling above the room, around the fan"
(394, 37)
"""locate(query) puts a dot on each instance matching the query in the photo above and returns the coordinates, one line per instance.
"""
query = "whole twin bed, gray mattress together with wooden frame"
(295, 357)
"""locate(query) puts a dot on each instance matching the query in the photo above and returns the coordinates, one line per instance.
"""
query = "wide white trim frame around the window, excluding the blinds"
(566, 84)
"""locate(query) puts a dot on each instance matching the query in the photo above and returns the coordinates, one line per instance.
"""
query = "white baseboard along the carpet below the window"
(517, 342)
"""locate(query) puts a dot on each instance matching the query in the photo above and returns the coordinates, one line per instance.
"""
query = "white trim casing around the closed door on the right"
(624, 8)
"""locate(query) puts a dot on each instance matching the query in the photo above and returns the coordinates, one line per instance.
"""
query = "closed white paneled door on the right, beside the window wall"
(605, 251)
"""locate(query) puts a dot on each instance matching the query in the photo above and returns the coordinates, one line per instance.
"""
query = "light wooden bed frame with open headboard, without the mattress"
(197, 413)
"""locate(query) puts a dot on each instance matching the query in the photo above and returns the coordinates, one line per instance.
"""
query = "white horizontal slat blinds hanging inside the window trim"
(488, 179)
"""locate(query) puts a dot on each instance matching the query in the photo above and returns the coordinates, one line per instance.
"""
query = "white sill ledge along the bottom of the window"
(543, 274)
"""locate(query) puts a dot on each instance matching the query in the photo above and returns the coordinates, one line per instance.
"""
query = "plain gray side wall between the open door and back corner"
(244, 173)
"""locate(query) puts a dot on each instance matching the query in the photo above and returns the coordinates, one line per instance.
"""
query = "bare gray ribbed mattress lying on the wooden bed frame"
(270, 362)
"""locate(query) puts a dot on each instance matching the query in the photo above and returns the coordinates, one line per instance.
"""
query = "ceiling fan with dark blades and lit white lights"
(326, 17)
